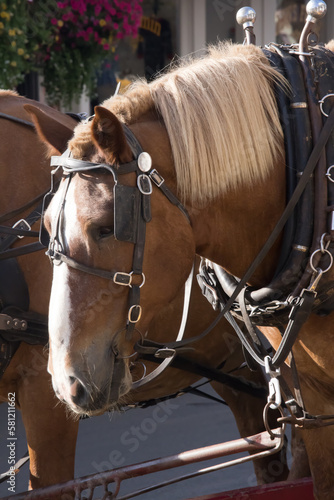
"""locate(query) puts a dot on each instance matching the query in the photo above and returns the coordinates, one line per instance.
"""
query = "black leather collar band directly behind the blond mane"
(295, 120)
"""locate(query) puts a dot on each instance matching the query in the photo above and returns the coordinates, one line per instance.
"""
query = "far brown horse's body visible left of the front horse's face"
(24, 176)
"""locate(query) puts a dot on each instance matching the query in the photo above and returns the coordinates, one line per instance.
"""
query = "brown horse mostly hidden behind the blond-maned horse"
(51, 433)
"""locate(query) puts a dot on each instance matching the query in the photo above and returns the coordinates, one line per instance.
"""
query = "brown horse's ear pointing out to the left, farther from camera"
(51, 131)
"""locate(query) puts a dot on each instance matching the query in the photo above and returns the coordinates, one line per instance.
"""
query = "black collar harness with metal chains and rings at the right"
(299, 286)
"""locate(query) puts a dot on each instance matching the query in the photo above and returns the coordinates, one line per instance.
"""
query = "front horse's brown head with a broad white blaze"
(90, 345)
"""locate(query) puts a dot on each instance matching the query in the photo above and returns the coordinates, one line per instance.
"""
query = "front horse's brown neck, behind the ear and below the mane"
(232, 230)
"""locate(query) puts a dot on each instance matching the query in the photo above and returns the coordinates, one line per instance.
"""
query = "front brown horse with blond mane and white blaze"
(216, 163)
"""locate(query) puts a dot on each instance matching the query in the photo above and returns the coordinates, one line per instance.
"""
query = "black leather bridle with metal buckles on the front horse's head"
(132, 211)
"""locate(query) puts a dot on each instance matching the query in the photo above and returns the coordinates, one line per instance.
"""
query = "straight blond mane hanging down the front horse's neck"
(221, 117)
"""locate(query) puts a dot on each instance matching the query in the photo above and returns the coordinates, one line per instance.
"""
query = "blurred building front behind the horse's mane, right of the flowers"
(175, 28)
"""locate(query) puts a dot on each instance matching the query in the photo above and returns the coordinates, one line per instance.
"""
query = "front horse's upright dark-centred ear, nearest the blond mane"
(109, 136)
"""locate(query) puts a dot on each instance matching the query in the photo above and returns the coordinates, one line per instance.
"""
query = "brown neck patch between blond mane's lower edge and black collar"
(232, 231)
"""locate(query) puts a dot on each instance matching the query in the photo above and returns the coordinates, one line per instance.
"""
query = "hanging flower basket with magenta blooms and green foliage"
(66, 41)
